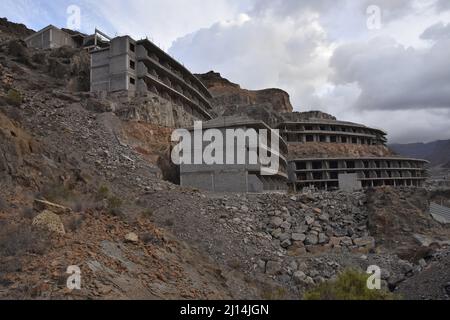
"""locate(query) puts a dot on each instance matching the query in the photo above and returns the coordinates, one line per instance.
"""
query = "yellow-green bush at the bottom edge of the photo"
(350, 285)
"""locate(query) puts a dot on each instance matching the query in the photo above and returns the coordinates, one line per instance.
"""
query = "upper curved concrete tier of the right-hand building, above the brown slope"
(331, 132)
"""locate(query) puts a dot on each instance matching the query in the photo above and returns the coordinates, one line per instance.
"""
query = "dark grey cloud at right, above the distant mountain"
(392, 77)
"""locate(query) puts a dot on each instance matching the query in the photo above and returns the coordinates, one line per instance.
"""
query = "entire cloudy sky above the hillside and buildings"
(384, 63)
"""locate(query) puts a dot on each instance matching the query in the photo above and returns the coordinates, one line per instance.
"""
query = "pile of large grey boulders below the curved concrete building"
(310, 222)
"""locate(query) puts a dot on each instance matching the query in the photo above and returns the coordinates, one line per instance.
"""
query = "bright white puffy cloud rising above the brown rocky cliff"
(263, 51)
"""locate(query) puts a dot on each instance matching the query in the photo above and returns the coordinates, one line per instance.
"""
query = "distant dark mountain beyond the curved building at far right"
(437, 152)
